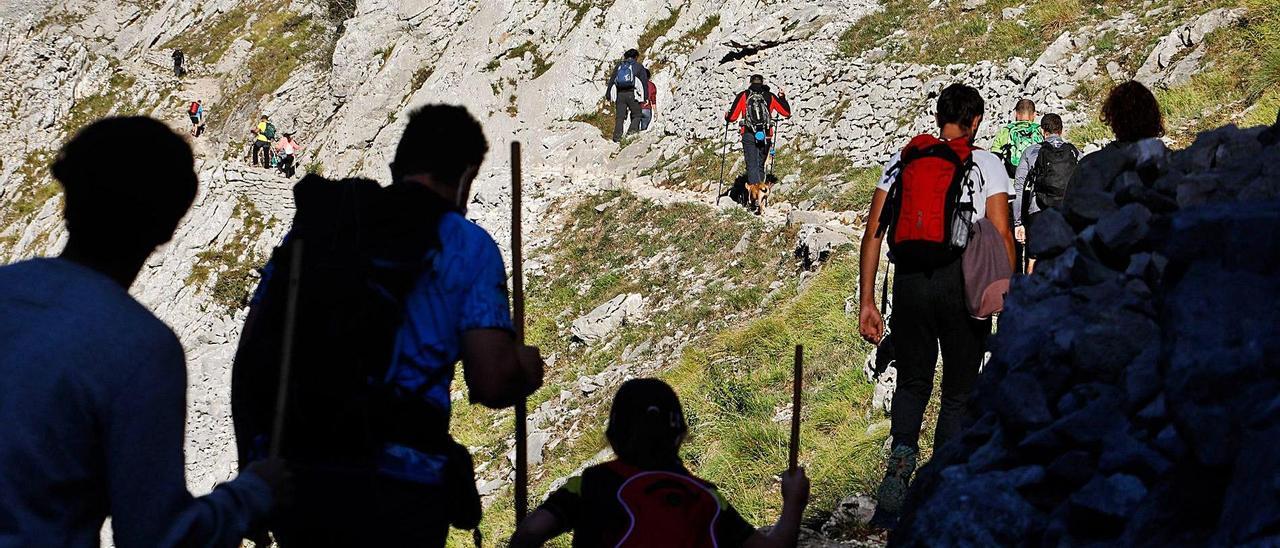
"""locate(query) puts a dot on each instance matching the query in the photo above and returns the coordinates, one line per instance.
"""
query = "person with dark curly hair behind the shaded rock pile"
(1133, 115)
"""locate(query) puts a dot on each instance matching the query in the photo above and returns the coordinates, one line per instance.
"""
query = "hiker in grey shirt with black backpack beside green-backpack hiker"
(1043, 177)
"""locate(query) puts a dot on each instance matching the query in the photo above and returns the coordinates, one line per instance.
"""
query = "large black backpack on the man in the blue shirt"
(364, 249)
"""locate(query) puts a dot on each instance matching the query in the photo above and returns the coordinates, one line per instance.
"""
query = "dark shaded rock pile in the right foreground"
(1133, 396)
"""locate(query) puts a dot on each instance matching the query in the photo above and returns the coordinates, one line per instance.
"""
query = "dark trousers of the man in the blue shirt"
(333, 510)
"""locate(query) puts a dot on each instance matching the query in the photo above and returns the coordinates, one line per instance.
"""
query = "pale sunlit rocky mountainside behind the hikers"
(344, 75)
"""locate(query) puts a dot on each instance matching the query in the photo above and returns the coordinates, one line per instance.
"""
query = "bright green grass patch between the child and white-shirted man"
(735, 385)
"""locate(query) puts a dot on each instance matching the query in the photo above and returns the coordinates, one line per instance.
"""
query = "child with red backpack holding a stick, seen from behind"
(647, 497)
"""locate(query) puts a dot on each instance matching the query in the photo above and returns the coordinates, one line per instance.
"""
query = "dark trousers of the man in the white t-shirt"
(930, 312)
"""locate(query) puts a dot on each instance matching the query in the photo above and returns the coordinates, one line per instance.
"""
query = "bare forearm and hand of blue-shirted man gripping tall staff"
(497, 371)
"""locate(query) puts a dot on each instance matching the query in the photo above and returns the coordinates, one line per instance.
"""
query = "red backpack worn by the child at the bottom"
(666, 510)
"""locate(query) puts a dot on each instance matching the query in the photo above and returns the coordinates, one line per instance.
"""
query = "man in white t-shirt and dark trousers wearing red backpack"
(929, 302)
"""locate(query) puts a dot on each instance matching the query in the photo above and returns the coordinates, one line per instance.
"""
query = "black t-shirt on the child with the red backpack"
(589, 506)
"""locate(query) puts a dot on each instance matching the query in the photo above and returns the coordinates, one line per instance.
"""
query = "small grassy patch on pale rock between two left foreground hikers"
(235, 263)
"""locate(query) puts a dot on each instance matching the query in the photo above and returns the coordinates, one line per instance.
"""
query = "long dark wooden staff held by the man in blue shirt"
(518, 300)
